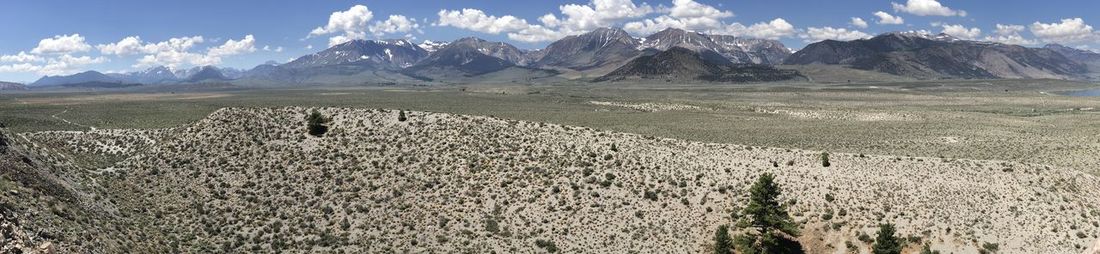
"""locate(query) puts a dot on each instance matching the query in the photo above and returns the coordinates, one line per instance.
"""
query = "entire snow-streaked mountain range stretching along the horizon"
(613, 54)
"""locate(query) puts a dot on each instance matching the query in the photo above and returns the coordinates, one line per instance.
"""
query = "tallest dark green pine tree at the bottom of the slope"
(766, 214)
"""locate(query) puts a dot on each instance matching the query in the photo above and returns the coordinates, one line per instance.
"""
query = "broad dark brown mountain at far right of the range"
(940, 57)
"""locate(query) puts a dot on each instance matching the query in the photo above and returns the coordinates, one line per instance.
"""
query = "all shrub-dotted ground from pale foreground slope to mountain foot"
(960, 165)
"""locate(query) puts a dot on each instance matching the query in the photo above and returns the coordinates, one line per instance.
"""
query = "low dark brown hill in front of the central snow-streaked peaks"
(685, 64)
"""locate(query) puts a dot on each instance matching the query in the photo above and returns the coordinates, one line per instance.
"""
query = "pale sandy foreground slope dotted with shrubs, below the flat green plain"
(252, 181)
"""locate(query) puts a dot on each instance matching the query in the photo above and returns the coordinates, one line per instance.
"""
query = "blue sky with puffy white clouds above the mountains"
(60, 37)
